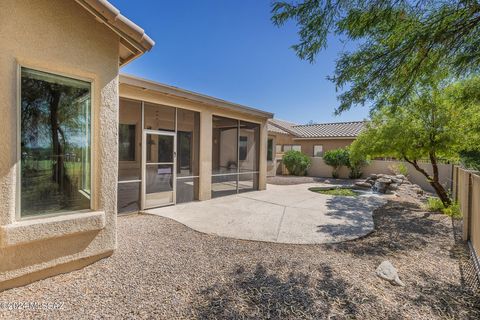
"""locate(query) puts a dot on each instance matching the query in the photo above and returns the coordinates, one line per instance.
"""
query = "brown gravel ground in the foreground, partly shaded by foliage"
(164, 270)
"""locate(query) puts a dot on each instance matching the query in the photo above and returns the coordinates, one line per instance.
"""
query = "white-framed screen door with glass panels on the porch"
(159, 153)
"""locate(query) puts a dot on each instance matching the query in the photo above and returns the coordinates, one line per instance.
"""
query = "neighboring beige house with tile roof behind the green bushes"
(311, 139)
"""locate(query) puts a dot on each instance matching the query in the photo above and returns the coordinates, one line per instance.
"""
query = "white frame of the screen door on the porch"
(144, 165)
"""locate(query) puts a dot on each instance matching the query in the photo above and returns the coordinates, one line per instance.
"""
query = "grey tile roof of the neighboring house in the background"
(319, 130)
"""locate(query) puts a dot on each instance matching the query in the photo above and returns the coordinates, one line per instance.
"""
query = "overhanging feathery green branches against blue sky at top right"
(401, 44)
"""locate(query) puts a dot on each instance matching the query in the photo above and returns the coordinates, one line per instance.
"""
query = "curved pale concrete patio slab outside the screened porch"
(283, 214)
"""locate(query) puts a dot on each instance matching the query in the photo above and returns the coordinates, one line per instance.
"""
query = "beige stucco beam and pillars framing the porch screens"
(206, 114)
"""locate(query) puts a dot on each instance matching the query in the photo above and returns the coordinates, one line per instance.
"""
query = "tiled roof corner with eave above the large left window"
(133, 40)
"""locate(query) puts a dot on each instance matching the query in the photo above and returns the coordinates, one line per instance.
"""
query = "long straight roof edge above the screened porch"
(157, 87)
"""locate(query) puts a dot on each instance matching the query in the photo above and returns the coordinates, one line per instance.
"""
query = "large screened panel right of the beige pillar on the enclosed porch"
(234, 156)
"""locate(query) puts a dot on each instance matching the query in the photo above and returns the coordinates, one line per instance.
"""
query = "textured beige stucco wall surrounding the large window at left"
(59, 37)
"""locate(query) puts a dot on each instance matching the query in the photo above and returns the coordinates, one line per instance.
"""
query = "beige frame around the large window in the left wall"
(93, 117)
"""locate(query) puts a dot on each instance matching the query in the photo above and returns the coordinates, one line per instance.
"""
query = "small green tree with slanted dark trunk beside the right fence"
(432, 126)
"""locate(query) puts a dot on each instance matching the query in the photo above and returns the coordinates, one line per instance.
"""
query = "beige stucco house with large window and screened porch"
(82, 143)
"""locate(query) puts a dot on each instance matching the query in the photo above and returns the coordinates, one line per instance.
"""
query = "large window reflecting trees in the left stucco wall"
(55, 143)
